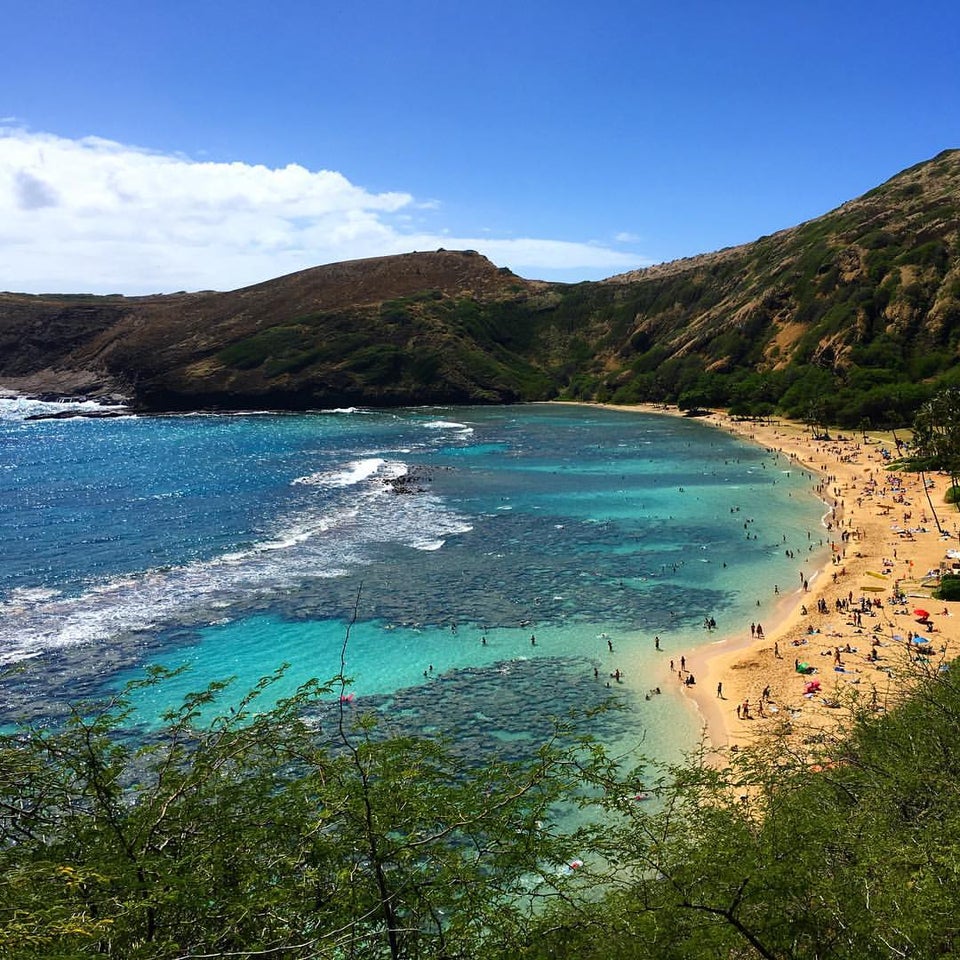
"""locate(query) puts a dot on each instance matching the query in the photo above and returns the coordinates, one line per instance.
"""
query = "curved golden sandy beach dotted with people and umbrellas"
(840, 640)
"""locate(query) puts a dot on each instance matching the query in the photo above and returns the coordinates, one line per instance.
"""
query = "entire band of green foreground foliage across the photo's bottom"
(256, 835)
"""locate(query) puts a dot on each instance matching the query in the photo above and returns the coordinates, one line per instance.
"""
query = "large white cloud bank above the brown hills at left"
(92, 215)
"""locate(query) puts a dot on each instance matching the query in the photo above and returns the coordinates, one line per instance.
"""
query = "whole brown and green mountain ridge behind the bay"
(855, 312)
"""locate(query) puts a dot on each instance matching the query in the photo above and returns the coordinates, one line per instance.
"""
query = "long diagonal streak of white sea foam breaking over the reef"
(322, 541)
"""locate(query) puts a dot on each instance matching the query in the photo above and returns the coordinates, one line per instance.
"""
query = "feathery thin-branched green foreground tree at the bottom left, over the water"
(255, 833)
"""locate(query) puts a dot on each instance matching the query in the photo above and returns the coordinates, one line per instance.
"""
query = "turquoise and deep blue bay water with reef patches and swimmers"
(233, 544)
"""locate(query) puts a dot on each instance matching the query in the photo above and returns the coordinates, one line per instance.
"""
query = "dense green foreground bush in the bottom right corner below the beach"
(854, 856)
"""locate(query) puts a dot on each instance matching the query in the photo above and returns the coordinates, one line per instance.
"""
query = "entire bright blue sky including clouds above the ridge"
(164, 145)
